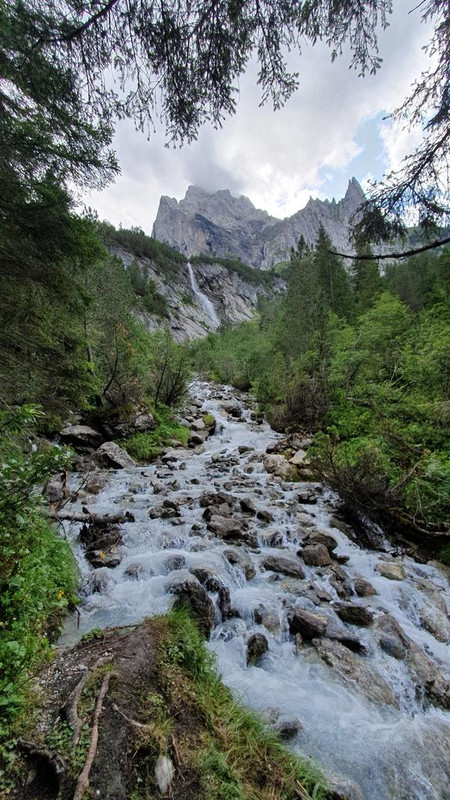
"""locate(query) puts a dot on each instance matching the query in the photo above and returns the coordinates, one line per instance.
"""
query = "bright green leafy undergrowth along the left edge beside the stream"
(37, 571)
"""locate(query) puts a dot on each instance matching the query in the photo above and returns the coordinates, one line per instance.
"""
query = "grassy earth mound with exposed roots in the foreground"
(167, 721)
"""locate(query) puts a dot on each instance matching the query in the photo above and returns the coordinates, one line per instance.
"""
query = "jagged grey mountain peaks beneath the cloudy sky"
(223, 225)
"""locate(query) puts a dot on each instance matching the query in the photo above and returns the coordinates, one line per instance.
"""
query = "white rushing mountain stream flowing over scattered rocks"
(368, 700)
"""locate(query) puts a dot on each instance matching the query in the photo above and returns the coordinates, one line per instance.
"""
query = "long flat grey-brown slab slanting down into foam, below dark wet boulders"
(354, 672)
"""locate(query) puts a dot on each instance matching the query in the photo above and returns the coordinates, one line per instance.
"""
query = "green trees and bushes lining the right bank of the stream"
(362, 361)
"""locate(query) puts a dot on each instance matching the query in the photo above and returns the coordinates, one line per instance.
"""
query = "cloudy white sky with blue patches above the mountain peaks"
(333, 128)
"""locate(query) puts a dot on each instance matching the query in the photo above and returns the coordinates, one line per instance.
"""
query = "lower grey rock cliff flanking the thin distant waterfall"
(233, 298)
